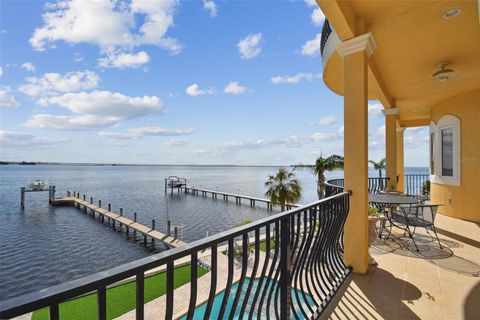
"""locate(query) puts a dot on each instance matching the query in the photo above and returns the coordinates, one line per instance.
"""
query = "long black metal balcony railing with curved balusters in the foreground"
(297, 273)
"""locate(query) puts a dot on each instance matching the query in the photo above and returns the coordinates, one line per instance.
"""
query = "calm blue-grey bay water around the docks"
(43, 246)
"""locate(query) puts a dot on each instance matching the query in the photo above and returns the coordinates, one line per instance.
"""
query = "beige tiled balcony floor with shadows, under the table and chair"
(433, 284)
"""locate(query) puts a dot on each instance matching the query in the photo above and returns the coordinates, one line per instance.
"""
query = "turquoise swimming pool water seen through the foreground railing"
(217, 303)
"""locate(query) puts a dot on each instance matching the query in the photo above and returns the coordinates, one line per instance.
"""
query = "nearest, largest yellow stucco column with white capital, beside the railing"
(355, 53)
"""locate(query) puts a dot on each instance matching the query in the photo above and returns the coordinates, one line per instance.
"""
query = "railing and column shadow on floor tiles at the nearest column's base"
(380, 295)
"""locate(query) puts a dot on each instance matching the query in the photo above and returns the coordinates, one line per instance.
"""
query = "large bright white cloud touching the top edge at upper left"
(108, 24)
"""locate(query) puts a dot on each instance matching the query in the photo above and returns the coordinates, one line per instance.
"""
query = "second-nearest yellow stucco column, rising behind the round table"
(391, 147)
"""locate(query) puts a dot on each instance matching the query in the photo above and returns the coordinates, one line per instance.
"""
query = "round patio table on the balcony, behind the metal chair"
(388, 201)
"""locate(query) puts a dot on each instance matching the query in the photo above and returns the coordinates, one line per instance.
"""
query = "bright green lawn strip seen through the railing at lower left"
(120, 299)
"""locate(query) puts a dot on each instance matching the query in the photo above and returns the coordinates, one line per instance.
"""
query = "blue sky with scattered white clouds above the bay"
(197, 82)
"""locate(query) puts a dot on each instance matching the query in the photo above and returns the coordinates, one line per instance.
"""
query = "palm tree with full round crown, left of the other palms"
(283, 188)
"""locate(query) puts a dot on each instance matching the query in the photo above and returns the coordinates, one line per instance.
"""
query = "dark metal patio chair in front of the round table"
(409, 218)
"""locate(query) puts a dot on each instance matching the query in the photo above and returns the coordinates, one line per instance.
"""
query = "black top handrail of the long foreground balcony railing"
(68, 290)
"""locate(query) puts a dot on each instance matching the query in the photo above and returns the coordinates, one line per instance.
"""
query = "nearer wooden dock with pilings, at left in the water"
(124, 224)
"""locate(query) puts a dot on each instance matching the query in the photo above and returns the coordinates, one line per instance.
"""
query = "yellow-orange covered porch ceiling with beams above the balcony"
(412, 39)
